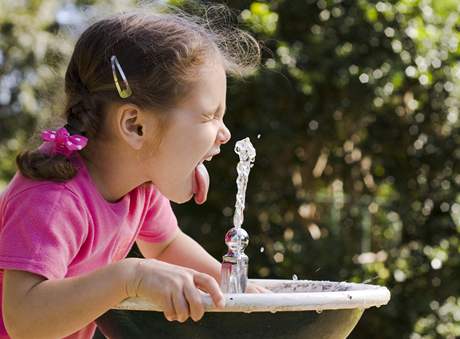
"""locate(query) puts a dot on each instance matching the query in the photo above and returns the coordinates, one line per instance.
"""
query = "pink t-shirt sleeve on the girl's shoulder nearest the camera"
(42, 230)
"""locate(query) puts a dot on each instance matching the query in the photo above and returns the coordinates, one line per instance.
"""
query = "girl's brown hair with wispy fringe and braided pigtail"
(160, 54)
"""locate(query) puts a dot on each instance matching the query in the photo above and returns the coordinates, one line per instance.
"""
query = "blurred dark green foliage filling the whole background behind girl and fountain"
(354, 116)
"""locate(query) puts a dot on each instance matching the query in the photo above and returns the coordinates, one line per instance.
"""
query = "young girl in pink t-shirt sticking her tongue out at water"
(145, 104)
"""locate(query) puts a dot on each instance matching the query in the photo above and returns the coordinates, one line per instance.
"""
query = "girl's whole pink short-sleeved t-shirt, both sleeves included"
(60, 230)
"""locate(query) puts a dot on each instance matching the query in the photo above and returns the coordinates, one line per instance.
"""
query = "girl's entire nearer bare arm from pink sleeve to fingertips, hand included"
(34, 307)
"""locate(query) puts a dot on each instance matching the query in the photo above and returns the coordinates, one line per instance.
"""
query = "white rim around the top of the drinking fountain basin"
(359, 295)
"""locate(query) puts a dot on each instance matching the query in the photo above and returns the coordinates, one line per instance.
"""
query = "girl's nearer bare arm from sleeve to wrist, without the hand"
(34, 307)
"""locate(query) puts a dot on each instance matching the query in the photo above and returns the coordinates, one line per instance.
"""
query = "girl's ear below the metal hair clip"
(131, 125)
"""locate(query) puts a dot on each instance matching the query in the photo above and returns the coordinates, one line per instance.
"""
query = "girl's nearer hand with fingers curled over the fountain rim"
(173, 287)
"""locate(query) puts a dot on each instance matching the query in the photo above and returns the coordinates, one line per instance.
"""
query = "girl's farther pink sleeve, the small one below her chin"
(160, 222)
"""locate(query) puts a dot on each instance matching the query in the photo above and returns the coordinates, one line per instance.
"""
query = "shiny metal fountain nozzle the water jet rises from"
(234, 273)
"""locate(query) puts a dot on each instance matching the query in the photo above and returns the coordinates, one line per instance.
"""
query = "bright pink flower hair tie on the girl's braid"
(61, 142)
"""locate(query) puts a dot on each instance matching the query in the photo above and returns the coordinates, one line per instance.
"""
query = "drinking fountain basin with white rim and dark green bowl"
(295, 309)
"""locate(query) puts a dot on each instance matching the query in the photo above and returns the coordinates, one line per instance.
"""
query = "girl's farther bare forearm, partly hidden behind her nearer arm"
(184, 251)
